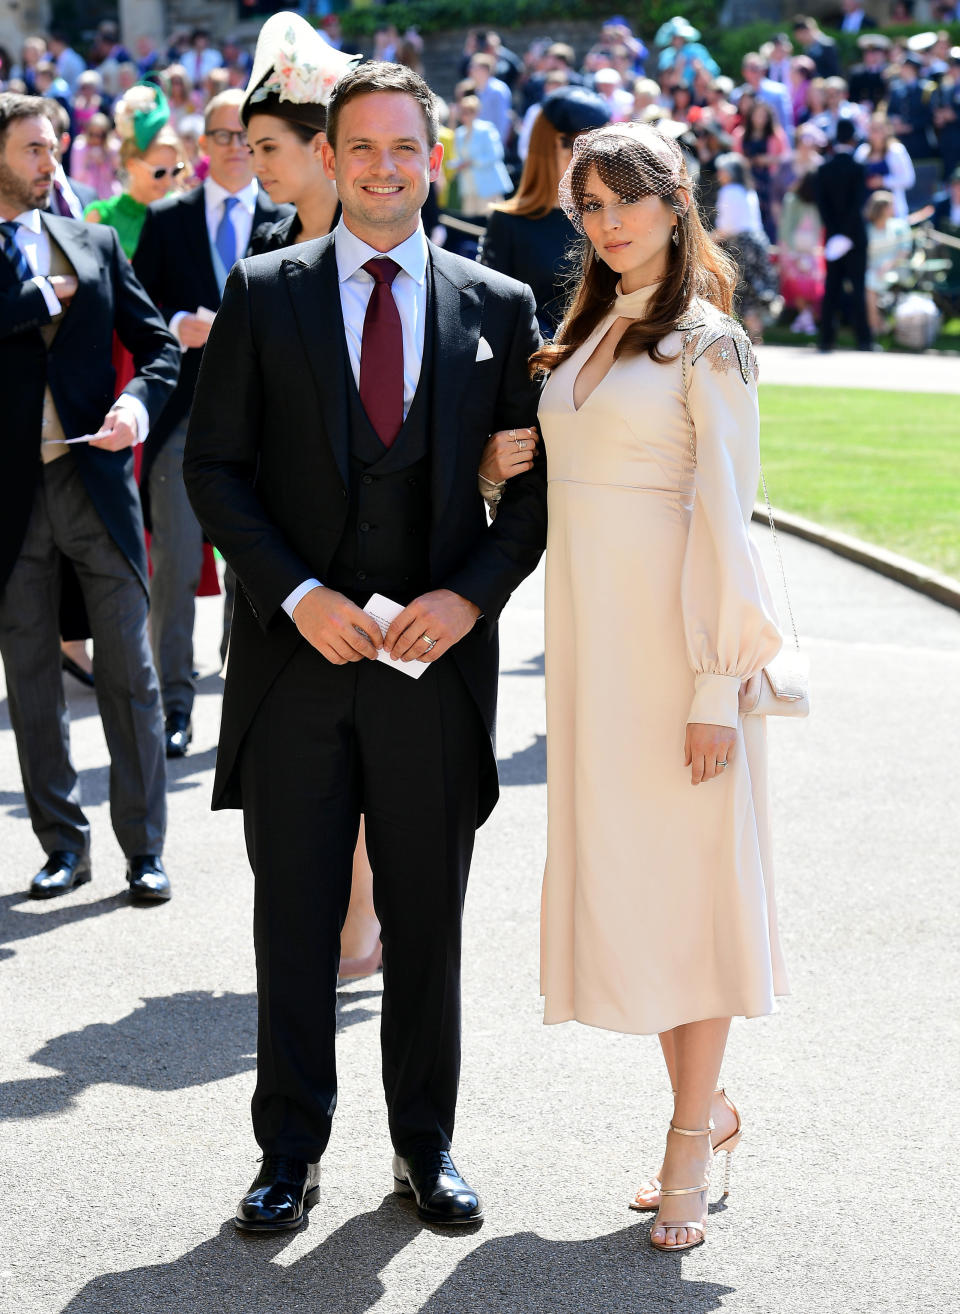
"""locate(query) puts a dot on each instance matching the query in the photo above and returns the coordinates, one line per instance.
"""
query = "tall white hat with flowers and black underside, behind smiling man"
(295, 73)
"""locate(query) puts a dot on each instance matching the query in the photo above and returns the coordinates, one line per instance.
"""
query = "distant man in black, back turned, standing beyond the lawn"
(841, 186)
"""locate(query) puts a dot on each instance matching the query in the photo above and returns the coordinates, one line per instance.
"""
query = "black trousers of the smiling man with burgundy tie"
(328, 744)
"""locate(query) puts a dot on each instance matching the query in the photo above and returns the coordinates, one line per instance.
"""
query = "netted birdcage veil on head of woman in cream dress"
(632, 160)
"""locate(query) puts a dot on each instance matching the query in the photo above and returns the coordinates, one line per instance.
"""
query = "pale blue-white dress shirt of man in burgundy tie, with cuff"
(357, 287)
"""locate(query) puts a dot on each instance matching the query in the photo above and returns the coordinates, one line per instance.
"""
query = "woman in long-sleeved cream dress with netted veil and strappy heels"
(659, 906)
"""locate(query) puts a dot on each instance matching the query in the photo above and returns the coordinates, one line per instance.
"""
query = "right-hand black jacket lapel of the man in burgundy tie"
(458, 313)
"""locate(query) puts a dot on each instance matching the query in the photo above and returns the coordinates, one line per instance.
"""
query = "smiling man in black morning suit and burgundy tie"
(347, 391)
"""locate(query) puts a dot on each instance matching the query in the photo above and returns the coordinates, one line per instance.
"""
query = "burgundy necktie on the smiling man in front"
(382, 354)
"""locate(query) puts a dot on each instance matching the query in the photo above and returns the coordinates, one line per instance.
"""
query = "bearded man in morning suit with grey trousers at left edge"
(65, 288)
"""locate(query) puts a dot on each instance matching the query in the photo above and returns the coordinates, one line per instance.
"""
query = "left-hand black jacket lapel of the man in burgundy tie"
(315, 290)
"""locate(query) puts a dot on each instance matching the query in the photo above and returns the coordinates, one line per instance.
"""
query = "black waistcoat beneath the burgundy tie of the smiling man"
(385, 543)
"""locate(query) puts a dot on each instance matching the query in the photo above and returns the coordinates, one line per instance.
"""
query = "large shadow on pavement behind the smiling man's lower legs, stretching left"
(167, 1044)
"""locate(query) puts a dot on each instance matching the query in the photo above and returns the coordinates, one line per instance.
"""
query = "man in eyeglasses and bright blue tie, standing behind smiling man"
(187, 249)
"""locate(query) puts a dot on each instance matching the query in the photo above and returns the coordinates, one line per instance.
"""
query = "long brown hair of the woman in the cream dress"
(697, 267)
